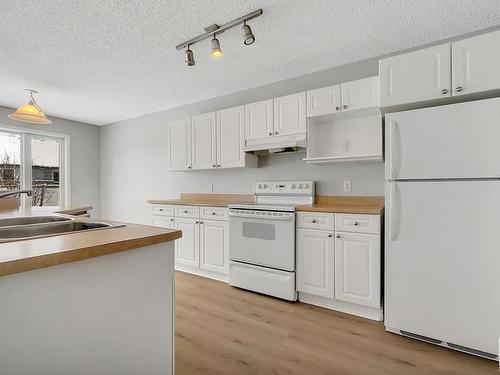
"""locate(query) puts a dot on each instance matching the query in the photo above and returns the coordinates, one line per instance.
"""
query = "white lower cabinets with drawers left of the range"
(204, 247)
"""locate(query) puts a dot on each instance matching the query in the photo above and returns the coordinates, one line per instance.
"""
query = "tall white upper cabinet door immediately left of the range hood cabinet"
(230, 137)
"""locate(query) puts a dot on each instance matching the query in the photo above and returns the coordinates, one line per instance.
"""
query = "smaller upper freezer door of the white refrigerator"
(452, 141)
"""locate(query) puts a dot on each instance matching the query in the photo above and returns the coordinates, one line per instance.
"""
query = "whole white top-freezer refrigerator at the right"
(442, 253)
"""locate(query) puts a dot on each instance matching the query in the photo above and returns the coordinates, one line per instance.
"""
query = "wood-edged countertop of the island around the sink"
(22, 256)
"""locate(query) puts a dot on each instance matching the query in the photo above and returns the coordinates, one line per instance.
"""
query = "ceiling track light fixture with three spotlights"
(214, 30)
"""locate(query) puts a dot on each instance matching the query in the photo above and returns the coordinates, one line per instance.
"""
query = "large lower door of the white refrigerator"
(442, 263)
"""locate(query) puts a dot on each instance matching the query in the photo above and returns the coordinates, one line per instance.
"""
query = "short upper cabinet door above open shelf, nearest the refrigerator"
(363, 93)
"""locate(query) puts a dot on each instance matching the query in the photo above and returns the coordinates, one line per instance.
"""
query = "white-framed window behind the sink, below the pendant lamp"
(37, 162)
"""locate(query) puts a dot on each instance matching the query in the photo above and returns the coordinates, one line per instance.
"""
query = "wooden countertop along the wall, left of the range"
(212, 200)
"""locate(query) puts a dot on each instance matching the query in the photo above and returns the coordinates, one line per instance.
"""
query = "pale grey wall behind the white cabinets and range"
(134, 155)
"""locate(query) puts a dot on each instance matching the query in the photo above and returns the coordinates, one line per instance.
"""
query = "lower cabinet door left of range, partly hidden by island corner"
(187, 249)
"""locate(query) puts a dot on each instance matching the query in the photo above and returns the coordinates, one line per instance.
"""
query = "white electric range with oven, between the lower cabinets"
(262, 238)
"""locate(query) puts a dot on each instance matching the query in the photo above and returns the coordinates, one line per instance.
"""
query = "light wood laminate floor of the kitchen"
(225, 330)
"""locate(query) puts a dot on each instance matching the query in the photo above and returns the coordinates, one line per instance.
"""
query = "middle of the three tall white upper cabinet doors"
(204, 144)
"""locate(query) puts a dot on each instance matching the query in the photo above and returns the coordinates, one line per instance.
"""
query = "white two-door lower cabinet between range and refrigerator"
(340, 270)
